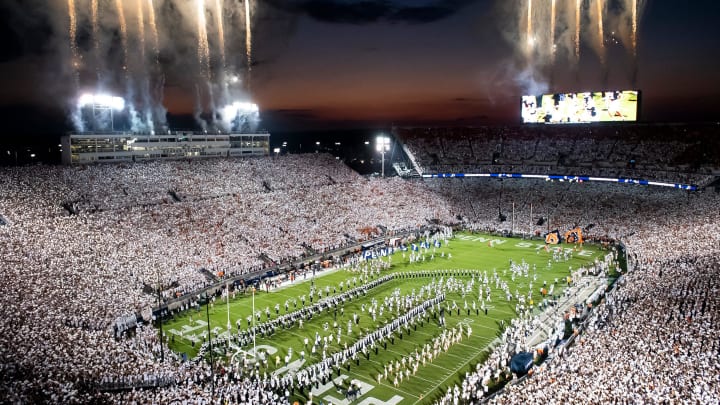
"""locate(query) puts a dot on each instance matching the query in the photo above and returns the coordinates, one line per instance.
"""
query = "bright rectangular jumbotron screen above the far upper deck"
(573, 108)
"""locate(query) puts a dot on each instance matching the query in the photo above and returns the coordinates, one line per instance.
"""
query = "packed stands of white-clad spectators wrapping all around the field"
(80, 244)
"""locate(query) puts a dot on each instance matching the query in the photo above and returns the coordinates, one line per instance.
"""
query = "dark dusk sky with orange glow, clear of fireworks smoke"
(324, 64)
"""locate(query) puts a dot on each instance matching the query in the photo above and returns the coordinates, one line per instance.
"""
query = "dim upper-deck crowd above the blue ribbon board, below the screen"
(660, 152)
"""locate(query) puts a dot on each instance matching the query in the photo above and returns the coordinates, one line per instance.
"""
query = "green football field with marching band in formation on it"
(460, 264)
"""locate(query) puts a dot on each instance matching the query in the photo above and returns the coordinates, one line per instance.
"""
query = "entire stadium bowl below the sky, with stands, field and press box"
(502, 265)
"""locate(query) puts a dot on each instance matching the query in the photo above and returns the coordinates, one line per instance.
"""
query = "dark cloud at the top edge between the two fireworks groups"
(370, 11)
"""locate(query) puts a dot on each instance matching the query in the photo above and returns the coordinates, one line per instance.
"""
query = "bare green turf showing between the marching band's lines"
(468, 251)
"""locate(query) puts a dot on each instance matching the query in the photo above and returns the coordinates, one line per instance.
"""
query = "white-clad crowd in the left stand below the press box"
(82, 244)
